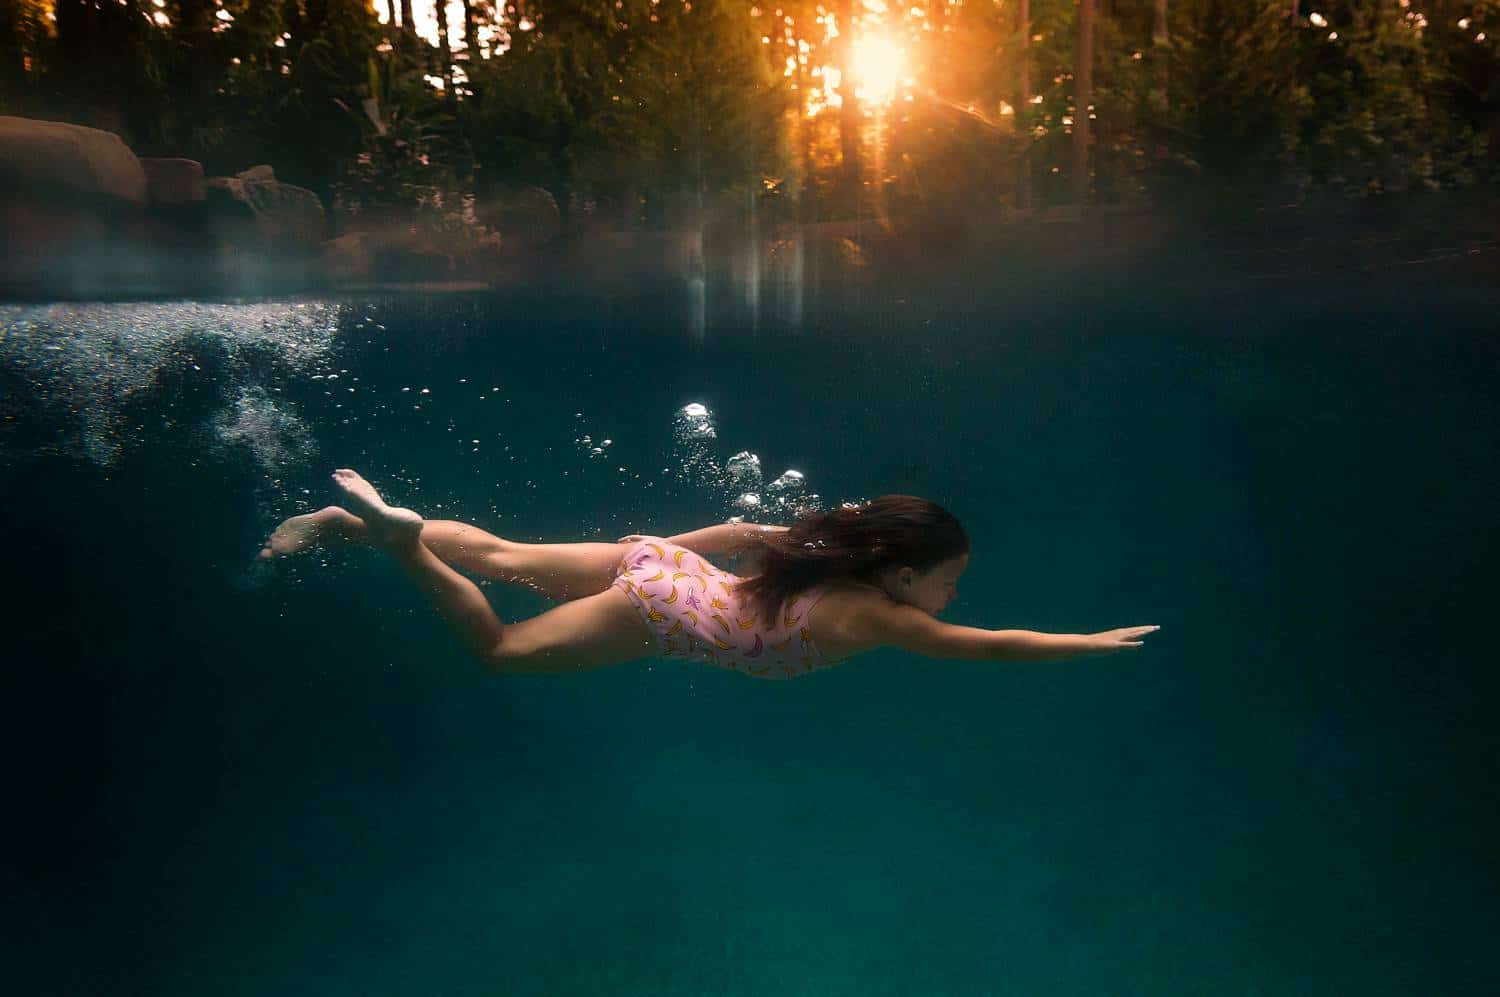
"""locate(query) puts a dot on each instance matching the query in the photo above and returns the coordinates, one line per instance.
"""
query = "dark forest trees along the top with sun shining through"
(641, 110)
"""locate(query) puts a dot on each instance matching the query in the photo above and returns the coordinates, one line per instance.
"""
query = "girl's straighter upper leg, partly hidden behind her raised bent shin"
(559, 572)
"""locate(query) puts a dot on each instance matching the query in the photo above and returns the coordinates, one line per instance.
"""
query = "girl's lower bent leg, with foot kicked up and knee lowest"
(602, 629)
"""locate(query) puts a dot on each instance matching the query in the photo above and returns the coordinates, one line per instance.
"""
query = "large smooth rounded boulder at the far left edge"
(68, 161)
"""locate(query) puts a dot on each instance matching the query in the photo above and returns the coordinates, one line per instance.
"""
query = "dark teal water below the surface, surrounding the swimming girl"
(292, 782)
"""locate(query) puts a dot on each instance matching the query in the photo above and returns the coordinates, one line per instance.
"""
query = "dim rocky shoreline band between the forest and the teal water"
(83, 218)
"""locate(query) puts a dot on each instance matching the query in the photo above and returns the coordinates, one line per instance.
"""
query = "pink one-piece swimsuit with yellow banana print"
(692, 609)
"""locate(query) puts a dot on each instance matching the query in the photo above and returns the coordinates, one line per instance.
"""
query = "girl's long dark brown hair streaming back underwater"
(853, 543)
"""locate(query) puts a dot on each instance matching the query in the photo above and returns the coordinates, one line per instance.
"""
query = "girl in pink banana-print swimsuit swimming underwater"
(827, 588)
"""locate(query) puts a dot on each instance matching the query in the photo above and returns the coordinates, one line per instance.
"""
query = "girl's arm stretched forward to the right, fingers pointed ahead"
(911, 629)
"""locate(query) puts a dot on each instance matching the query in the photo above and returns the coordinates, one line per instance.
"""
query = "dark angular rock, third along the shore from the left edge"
(265, 214)
